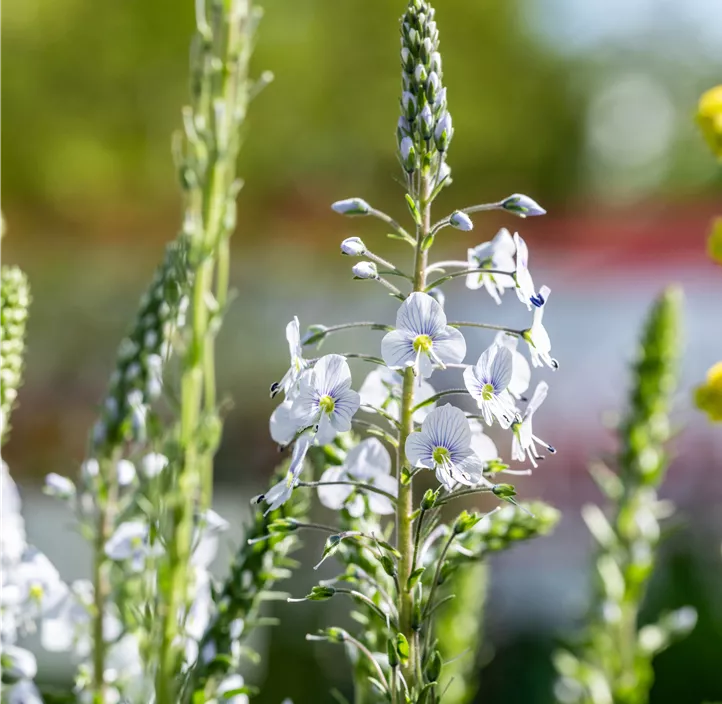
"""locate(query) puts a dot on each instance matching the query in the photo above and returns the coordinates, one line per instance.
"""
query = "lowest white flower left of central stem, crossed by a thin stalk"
(368, 462)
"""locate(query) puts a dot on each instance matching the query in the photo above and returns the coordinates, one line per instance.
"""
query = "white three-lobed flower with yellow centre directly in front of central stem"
(422, 338)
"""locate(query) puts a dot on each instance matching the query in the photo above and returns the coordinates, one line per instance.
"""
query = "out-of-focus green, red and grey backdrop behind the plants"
(585, 105)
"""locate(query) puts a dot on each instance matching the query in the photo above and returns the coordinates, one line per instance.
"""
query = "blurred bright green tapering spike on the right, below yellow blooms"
(612, 664)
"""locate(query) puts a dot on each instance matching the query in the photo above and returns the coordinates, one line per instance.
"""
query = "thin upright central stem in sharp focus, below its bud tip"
(405, 507)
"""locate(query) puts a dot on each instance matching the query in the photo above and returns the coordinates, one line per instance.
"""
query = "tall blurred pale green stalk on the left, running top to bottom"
(207, 157)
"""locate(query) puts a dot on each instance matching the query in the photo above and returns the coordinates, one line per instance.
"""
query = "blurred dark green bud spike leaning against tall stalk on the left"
(138, 377)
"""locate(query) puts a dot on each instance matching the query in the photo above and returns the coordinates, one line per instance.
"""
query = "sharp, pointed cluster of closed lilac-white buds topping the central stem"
(424, 128)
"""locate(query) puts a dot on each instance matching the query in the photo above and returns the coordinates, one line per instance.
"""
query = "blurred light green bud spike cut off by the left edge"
(14, 302)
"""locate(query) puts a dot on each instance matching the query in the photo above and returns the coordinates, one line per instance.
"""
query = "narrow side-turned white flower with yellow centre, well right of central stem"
(488, 383)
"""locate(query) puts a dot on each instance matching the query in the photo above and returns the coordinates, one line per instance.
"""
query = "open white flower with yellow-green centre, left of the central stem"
(325, 399)
